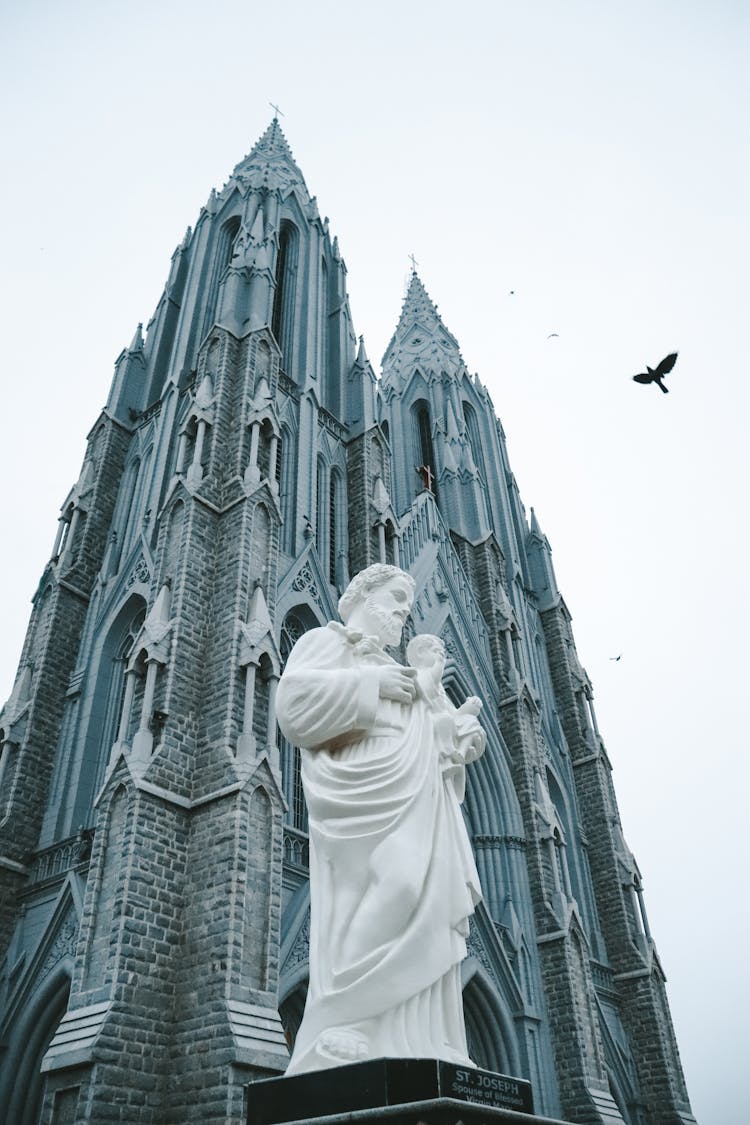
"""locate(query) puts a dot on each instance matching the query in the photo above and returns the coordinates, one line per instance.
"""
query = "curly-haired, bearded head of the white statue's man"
(378, 601)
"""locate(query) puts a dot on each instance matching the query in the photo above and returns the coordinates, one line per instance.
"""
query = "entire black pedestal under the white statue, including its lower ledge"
(395, 1092)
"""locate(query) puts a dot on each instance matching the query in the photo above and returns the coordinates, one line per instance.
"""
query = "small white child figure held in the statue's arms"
(458, 734)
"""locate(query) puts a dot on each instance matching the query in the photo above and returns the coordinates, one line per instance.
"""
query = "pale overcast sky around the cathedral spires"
(590, 157)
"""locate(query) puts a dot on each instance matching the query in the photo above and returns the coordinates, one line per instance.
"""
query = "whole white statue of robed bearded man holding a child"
(393, 878)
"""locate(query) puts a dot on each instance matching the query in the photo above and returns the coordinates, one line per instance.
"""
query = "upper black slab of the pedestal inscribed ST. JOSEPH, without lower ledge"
(383, 1084)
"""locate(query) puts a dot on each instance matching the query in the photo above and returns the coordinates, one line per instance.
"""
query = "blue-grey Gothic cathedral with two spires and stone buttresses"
(155, 905)
